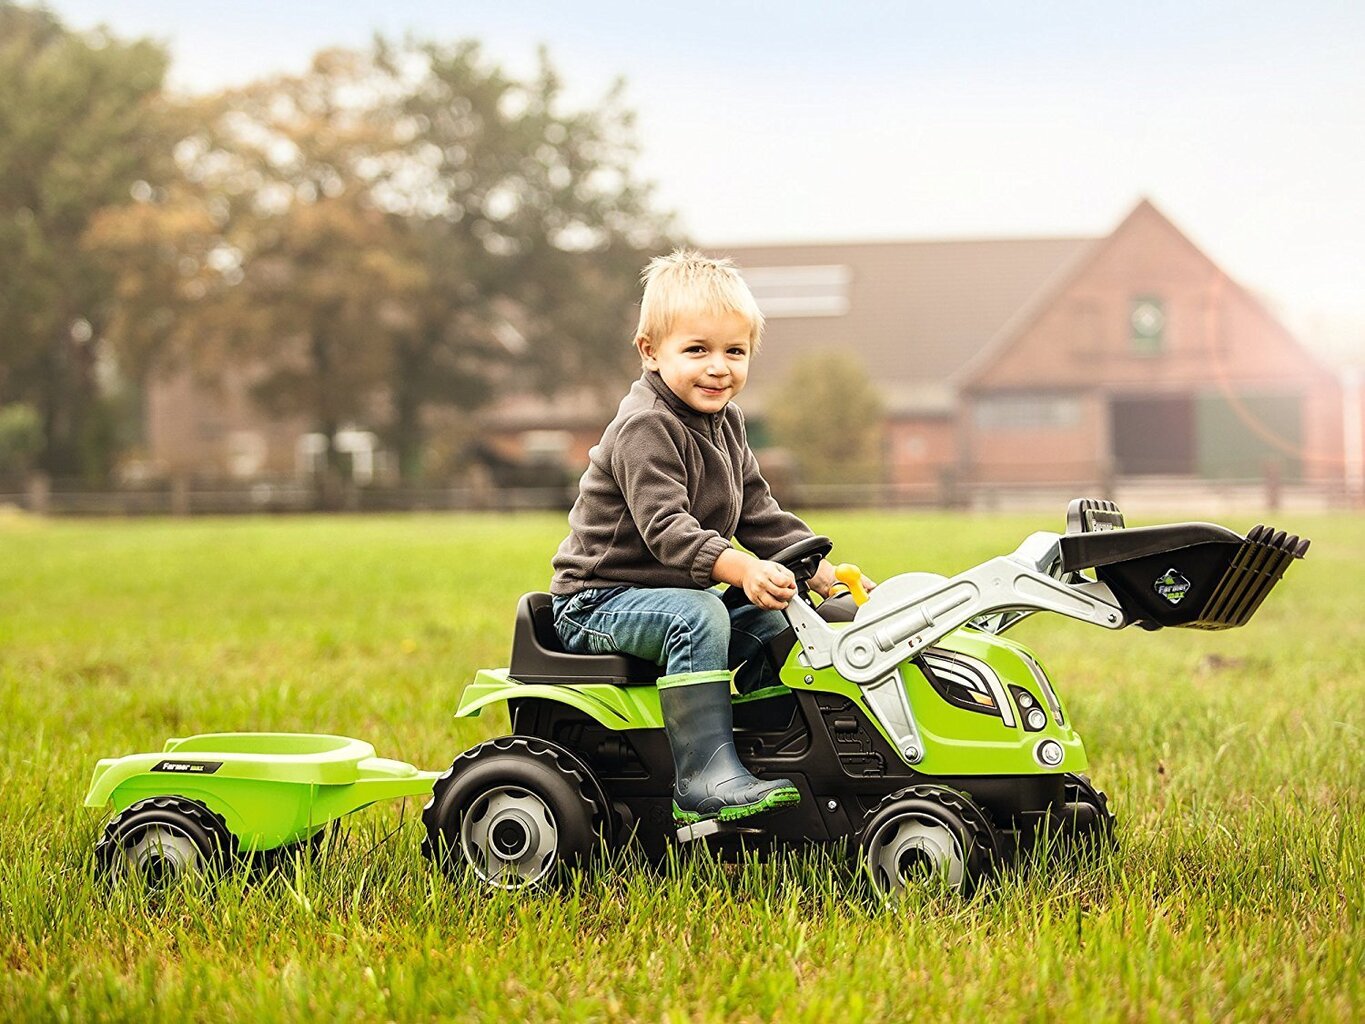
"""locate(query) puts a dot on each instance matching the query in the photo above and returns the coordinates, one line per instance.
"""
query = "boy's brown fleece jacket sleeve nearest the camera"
(649, 468)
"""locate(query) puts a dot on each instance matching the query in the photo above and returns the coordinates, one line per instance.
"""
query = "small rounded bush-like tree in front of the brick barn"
(828, 416)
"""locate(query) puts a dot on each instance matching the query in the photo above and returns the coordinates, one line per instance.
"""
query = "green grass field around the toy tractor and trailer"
(1236, 763)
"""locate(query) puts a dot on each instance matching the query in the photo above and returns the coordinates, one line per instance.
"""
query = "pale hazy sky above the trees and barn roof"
(802, 122)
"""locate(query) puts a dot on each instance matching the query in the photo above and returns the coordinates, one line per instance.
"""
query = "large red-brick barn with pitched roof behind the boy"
(1068, 362)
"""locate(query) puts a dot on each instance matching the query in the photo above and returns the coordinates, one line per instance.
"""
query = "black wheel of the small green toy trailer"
(164, 839)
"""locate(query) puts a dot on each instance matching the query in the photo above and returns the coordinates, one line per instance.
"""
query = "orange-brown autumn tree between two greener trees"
(270, 256)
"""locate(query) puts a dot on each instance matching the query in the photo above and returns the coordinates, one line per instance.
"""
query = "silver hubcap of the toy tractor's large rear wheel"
(510, 838)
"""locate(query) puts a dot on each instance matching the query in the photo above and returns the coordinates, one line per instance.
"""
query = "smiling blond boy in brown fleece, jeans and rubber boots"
(668, 487)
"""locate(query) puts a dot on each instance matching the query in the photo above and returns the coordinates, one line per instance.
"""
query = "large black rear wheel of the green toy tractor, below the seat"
(515, 812)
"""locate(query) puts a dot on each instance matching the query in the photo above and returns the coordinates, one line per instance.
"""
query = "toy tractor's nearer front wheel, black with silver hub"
(929, 835)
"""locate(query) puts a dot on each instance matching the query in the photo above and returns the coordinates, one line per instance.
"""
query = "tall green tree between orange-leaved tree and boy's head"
(529, 226)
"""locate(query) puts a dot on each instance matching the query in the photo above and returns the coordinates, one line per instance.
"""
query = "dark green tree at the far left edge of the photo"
(81, 124)
